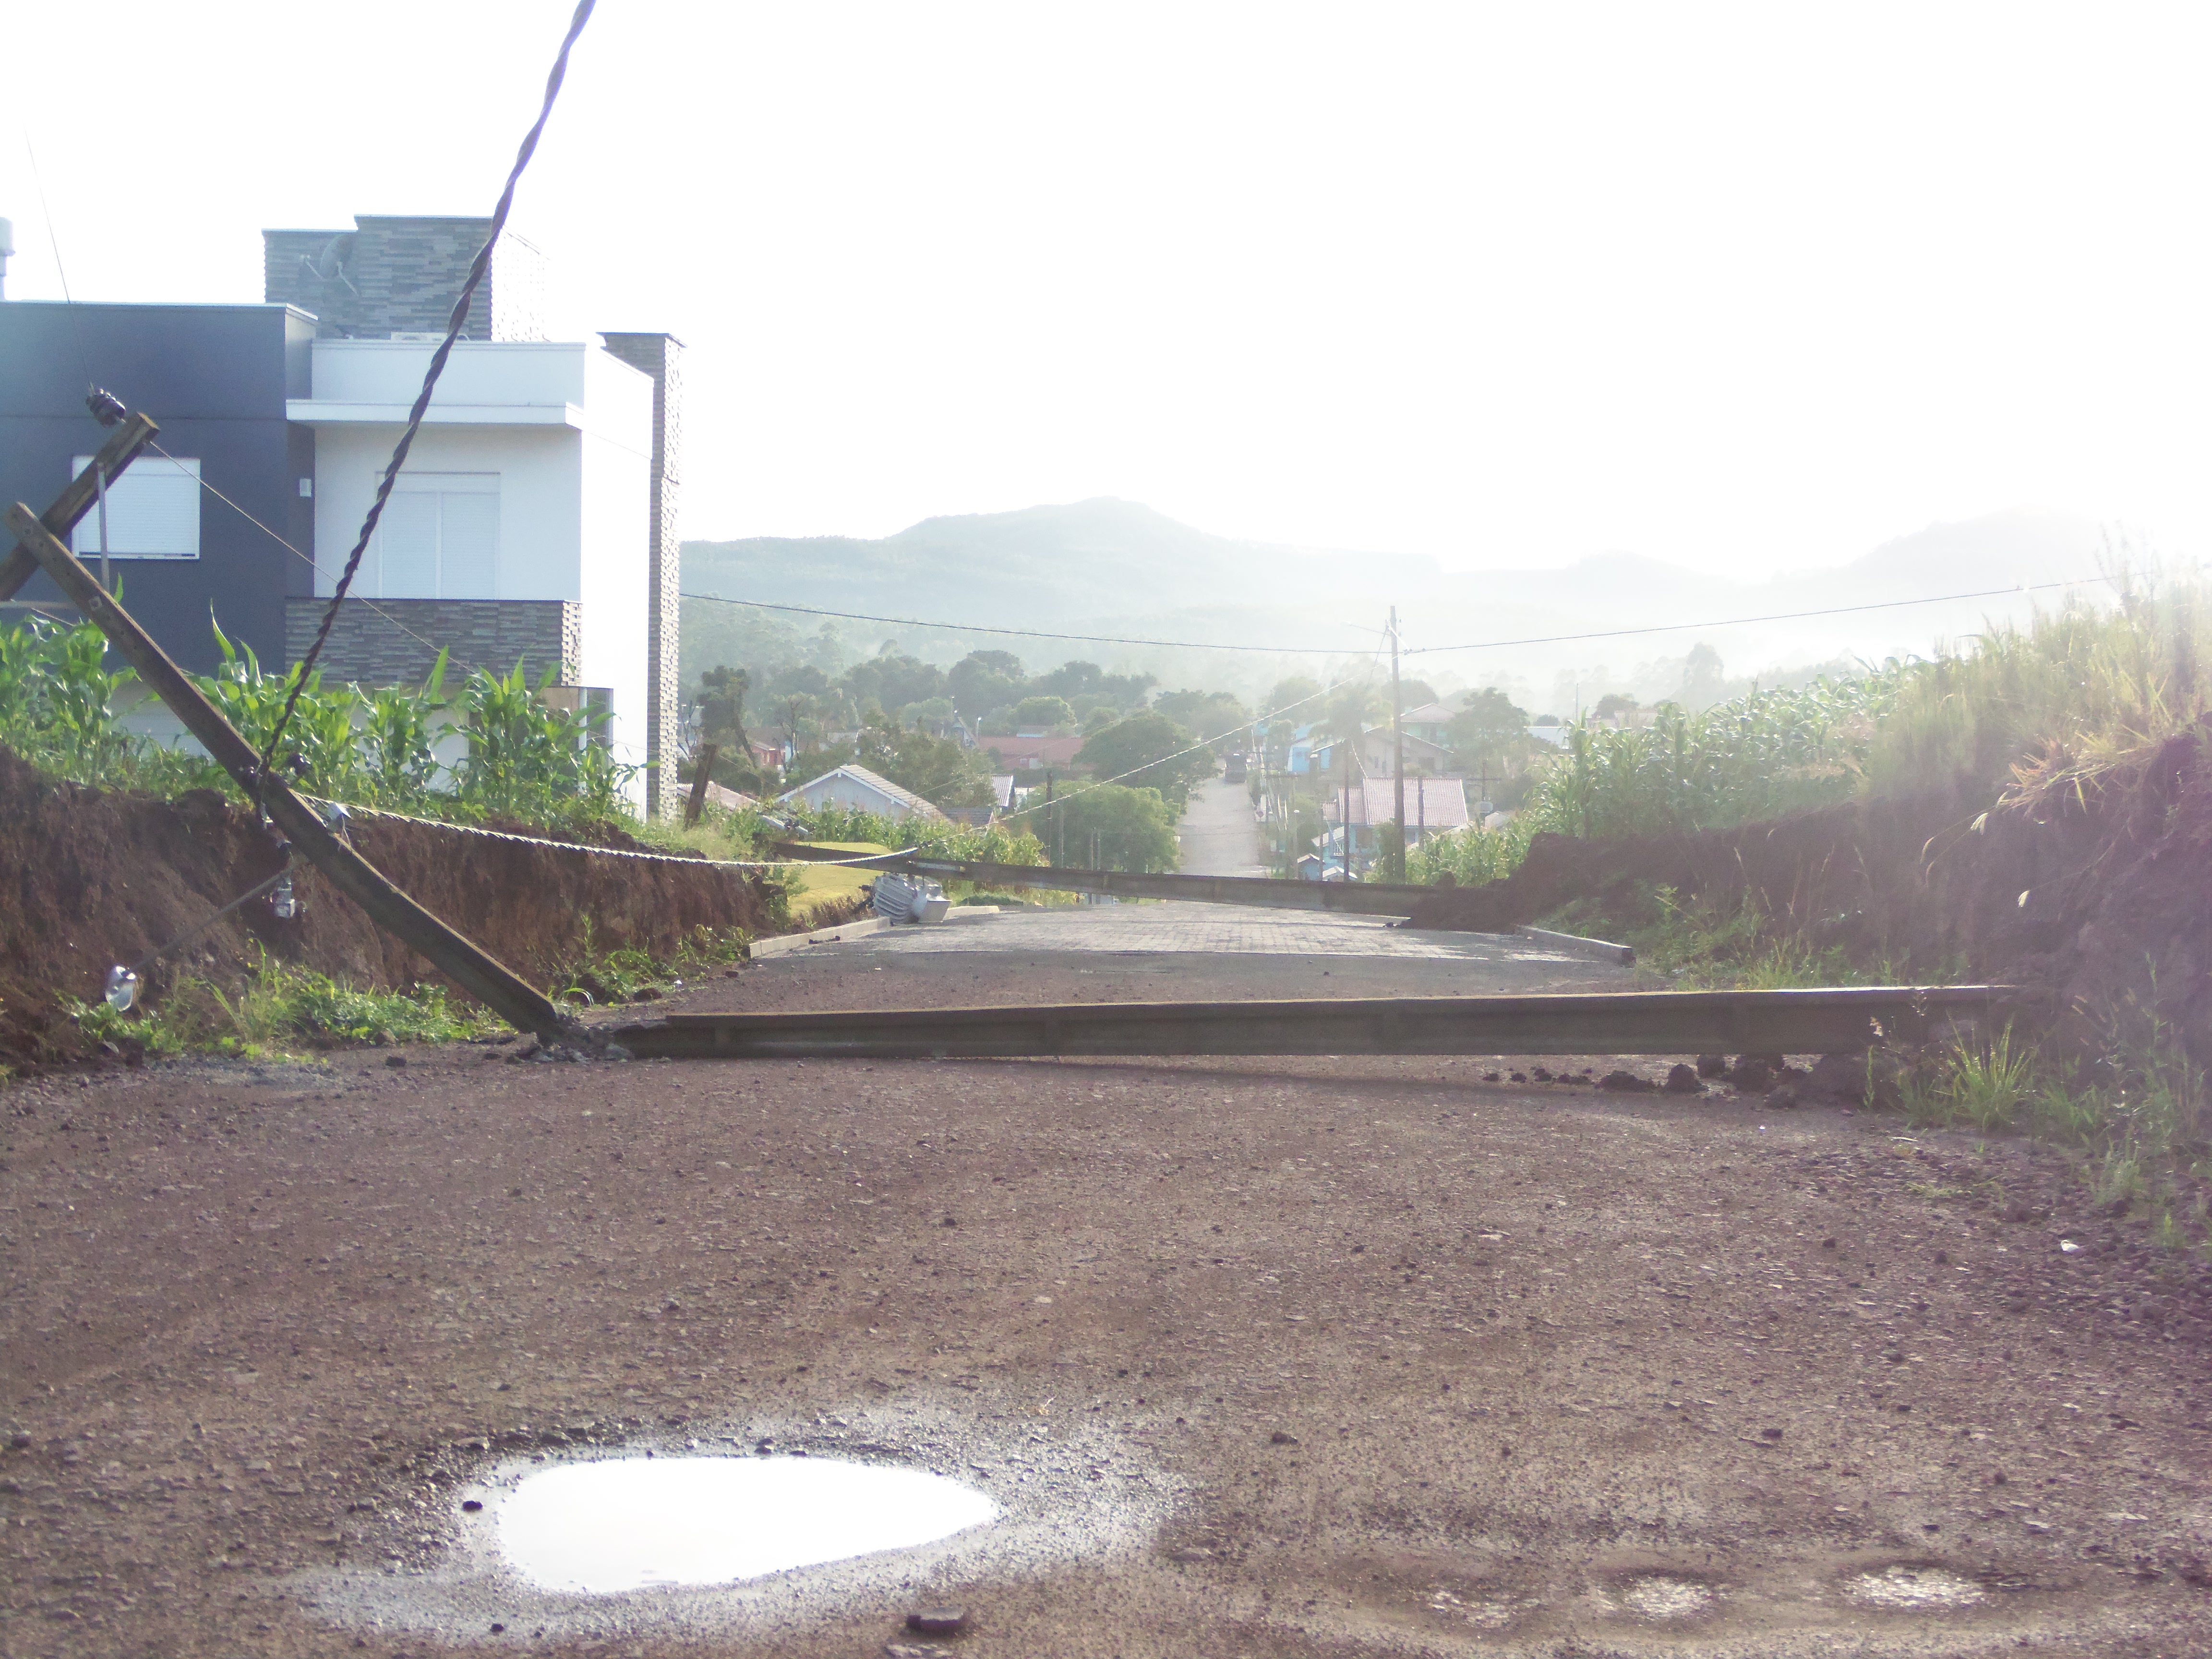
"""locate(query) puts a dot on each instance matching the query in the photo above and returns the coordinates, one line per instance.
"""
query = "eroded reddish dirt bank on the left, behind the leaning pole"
(90, 879)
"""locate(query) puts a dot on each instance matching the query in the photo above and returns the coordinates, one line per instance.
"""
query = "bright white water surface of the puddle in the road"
(636, 1523)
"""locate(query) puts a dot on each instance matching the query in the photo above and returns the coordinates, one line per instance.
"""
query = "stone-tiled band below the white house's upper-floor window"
(401, 645)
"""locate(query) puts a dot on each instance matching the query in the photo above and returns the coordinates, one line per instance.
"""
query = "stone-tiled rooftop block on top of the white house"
(401, 275)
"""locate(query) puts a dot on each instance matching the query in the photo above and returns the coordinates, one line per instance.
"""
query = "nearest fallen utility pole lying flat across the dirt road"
(1629, 1023)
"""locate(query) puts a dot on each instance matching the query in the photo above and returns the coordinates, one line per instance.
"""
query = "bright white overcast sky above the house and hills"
(1501, 284)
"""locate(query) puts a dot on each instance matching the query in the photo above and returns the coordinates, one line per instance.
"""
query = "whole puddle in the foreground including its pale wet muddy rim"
(760, 1525)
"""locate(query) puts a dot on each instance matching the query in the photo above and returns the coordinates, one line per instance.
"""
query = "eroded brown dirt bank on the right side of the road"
(2085, 901)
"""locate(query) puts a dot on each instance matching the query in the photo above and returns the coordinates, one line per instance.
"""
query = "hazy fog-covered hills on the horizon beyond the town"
(1112, 567)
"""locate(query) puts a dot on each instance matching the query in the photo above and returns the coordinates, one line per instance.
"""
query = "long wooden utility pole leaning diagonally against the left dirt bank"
(419, 930)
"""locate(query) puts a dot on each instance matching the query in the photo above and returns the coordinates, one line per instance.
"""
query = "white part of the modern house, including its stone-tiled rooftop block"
(536, 514)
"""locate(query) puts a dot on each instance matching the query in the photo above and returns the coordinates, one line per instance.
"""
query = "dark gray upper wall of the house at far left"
(216, 379)
